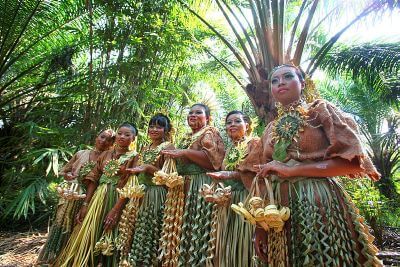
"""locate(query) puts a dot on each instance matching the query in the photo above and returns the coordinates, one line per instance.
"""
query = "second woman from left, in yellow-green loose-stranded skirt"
(92, 242)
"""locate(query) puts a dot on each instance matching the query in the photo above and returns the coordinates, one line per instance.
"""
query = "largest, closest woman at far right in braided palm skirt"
(305, 148)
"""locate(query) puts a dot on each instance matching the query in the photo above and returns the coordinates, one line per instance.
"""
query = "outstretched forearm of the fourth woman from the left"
(196, 156)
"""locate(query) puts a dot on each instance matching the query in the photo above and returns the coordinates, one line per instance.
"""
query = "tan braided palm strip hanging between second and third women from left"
(126, 228)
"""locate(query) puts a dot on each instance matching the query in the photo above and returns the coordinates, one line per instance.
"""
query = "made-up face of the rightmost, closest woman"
(286, 86)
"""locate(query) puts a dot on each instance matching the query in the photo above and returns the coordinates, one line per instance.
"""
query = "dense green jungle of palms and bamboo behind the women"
(70, 68)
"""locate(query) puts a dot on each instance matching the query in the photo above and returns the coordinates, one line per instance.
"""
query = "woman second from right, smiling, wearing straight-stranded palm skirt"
(234, 247)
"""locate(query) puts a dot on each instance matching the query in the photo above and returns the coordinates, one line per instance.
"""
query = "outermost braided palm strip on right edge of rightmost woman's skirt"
(364, 237)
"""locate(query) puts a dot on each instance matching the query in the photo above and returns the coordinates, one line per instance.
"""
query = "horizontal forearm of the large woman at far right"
(325, 168)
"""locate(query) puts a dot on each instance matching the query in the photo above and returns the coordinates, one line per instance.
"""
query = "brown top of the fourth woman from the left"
(211, 143)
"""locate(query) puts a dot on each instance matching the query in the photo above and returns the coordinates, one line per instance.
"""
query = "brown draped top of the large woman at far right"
(330, 133)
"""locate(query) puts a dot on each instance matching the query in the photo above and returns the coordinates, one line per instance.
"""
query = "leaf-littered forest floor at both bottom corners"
(21, 249)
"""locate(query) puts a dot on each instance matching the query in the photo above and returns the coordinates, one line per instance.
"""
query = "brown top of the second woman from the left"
(103, 159)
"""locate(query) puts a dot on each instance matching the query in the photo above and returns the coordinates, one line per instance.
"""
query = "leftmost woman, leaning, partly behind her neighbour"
(77, 168)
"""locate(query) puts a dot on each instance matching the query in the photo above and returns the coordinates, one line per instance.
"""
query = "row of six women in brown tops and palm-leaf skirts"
(294, 164)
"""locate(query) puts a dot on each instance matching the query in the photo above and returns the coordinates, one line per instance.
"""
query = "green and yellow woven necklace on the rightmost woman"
(286, 127)
